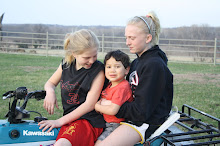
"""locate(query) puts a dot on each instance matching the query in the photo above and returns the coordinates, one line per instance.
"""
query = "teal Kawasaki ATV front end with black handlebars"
(15, 131)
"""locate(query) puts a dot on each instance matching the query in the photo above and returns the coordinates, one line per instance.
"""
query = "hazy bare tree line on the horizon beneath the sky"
(199, 32)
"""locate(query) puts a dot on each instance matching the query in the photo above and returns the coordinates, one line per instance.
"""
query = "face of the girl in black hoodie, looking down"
(136, 40)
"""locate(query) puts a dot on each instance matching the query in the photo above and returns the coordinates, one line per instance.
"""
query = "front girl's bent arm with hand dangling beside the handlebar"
(50, 99)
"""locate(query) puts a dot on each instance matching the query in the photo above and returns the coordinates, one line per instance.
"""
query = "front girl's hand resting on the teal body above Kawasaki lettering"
(49, 124)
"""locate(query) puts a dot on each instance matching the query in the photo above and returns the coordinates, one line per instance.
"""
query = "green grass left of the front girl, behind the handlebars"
(28, 71)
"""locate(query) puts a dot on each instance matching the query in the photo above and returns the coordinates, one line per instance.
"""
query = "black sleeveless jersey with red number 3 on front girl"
(75, 84)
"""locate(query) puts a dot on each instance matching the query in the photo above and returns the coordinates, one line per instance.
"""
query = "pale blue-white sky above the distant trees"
(172, 13)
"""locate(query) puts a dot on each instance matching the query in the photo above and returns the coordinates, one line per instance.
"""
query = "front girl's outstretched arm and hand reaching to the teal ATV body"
(87, 106)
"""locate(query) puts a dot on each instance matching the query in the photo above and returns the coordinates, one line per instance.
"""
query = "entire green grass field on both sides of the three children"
(197, 85)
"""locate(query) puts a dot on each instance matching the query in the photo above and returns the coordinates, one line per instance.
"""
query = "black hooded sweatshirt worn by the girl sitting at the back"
(152, 87)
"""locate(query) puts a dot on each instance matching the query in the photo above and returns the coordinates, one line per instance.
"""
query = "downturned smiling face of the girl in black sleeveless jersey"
(86, 59)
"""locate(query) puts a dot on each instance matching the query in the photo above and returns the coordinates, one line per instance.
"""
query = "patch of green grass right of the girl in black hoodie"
(199, 86)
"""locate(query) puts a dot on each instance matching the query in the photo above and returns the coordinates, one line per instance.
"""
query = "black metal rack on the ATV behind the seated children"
(192, 130)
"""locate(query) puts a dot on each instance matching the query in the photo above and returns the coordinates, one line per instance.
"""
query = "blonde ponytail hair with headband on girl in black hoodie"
(149, 24)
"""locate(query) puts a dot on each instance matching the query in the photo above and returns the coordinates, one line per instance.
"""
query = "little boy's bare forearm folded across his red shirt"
(111, 109)
